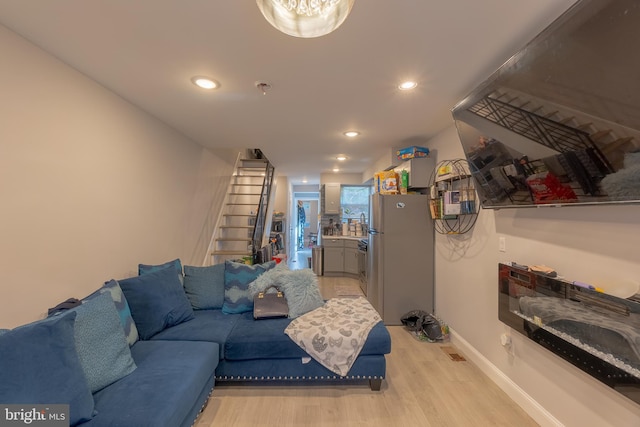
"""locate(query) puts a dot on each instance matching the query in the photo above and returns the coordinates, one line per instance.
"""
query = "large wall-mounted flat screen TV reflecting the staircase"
(559, 122)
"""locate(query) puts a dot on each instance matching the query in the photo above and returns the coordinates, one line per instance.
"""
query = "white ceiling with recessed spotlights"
(147, 51)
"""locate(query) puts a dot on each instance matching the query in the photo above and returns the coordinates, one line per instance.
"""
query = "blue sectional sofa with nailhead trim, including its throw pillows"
(166, 340)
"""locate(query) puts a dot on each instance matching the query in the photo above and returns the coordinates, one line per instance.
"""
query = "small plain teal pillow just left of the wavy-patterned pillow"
(204, 286)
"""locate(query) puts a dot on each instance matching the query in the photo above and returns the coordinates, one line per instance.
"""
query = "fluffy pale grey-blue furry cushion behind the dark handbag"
(300, 287)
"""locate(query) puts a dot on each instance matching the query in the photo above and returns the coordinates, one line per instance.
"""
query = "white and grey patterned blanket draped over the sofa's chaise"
(335, 333)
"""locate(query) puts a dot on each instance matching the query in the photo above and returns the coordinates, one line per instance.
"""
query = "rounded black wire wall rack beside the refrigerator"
(452, 197)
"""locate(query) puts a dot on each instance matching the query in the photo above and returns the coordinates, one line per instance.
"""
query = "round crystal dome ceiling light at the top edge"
(305, 18)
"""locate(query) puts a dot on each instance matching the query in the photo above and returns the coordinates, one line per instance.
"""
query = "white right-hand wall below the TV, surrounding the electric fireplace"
(581, 243)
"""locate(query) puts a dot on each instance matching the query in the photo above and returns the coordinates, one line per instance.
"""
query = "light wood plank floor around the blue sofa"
(423, 388)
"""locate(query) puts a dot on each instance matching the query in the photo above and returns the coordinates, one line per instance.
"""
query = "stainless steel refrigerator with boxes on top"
(400, 251)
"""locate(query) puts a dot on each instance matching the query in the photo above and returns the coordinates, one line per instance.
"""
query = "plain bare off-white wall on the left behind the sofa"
(90, 185)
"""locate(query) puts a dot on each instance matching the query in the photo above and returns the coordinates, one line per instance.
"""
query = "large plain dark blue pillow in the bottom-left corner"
(39, 365)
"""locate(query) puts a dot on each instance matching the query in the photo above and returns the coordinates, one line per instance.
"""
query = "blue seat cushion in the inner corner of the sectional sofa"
(207, 325)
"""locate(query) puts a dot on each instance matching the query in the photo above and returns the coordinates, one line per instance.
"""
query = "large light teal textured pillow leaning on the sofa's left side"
(100, 342)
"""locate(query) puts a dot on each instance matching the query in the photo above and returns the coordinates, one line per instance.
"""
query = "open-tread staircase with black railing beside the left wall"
(240, 233)
